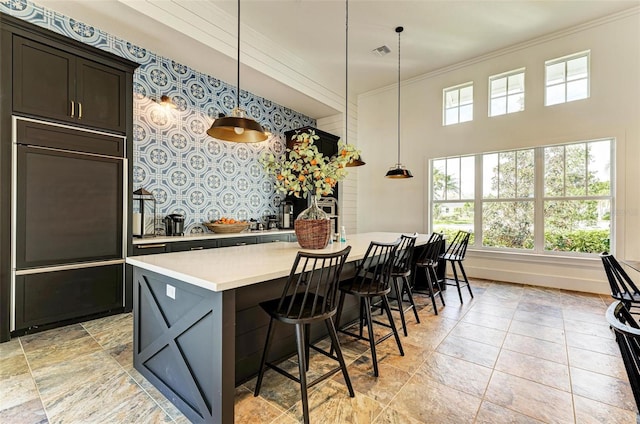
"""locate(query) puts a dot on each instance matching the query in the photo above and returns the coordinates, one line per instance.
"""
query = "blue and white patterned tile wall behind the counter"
(173, 157)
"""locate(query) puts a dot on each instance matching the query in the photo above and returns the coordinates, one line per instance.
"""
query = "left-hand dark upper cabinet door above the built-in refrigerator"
(43, 80)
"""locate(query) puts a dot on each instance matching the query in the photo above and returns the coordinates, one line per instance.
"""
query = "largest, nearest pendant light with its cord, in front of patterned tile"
(238, 127)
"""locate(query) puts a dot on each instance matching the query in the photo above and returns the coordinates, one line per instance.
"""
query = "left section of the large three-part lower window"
(452, 182)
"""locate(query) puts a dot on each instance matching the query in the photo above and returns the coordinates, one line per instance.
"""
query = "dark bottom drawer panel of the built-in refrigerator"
(49, 297)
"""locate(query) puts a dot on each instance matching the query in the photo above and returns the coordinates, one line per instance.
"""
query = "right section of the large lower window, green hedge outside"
(577, 197)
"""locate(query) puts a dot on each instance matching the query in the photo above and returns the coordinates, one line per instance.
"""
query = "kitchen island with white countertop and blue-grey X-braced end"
(198, 329)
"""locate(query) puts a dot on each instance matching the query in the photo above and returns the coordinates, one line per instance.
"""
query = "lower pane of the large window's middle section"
(507, 224)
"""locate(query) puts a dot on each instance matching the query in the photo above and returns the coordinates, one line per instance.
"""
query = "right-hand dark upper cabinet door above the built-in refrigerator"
(100, 92)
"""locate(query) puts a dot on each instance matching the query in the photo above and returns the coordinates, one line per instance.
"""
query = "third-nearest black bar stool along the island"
(400, 274)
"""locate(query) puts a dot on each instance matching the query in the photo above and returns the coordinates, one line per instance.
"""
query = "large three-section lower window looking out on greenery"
(546, 199)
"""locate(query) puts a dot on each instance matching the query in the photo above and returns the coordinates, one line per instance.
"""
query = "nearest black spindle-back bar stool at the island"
(309, 296)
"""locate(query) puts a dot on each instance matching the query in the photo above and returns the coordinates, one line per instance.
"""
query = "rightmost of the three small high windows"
(567, 79)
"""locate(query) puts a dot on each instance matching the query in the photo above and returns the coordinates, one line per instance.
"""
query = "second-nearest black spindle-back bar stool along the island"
(372, 281)
